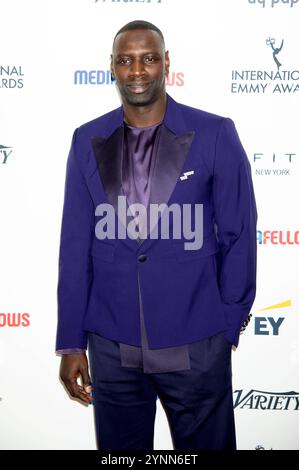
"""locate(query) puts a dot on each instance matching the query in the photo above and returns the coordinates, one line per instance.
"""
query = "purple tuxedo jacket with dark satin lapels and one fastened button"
(187, 295)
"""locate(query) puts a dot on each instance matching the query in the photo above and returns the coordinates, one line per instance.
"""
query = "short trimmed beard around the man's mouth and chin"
(151, 94)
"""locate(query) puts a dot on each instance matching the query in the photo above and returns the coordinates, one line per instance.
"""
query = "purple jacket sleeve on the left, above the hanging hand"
(75, 273)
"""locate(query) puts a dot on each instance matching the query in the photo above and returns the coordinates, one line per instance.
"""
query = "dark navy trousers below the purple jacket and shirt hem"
(198, 402)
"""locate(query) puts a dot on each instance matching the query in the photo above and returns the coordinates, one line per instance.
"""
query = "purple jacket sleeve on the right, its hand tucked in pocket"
(235, 218)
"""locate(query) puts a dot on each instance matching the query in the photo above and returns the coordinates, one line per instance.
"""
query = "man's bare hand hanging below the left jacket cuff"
(72, 367)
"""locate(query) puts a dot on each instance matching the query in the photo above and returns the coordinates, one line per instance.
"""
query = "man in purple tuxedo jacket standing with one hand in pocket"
(158, 320)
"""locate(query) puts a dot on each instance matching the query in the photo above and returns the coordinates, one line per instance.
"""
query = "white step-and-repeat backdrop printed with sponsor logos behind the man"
(236, 58)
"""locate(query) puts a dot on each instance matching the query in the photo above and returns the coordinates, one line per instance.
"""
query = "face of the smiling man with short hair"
(139, 65)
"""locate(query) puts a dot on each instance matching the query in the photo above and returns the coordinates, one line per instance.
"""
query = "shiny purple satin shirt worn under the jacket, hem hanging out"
(139, 160)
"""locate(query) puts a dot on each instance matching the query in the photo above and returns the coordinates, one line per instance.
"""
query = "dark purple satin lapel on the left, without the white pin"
(108, 155)
